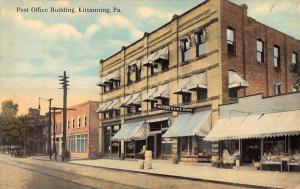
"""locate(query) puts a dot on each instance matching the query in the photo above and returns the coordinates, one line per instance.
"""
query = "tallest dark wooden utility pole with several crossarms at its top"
(64, 82)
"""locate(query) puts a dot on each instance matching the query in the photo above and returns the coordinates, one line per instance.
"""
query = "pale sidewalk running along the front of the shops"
(202, 172)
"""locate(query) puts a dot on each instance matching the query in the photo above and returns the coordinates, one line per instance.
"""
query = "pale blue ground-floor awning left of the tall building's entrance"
(132, 131)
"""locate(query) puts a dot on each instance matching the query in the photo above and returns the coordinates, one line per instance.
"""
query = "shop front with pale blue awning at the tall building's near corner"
(189, 129)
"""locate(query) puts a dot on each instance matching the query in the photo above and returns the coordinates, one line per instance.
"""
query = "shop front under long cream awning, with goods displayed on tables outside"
(264, 139)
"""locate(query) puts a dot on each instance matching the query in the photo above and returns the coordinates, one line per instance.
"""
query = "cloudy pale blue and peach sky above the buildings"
(36, 47)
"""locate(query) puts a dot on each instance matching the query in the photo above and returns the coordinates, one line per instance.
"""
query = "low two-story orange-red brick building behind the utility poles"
(82, 130)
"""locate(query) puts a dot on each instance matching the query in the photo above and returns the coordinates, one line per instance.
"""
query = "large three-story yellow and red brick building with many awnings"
(210, 55)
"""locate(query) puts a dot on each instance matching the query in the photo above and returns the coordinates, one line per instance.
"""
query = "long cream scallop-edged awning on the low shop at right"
(256, 126)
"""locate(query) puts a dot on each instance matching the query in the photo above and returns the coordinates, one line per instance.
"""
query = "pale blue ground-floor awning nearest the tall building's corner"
(187, 124)
